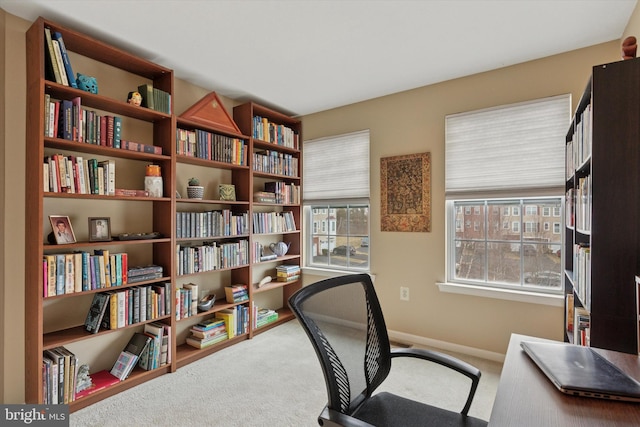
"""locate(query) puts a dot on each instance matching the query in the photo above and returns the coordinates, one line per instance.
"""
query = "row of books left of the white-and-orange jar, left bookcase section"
(74, 174)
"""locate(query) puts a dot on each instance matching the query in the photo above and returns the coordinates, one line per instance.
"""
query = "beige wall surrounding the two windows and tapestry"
(413, 122)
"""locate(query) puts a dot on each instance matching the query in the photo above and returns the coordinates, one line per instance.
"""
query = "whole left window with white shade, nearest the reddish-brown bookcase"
(336, 202)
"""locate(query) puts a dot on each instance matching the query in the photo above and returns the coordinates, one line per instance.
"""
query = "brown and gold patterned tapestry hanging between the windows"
(405, 183)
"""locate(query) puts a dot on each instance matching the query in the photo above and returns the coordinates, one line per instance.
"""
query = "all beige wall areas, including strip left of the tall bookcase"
(408, 122)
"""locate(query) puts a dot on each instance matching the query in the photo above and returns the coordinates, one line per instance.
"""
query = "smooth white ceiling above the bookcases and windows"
(306, 56)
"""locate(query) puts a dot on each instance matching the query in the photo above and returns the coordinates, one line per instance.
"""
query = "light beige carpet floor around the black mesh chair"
(271, 380)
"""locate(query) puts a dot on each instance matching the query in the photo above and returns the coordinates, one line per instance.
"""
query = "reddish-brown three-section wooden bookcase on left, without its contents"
(58, 320)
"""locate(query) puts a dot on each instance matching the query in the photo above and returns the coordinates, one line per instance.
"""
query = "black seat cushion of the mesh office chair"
(386, 409)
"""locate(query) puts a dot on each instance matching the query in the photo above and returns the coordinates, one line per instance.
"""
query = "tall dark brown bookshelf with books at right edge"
(602, 239)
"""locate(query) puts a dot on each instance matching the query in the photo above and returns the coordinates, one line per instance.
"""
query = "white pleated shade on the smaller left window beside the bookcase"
(336, 167)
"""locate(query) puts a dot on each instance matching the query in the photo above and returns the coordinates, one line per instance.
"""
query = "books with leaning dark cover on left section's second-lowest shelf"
(117, 309)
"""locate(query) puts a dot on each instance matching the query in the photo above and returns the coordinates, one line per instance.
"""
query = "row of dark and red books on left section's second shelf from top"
(68, 119)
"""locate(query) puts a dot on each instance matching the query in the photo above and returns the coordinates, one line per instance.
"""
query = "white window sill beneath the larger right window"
(504, 294)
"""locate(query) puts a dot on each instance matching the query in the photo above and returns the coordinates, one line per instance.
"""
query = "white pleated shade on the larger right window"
(517, 148)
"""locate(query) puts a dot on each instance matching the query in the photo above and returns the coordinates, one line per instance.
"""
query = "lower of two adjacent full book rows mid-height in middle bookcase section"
(211, 256)
